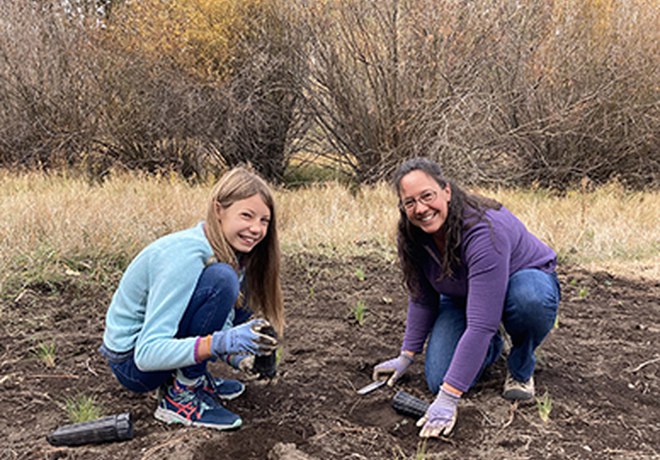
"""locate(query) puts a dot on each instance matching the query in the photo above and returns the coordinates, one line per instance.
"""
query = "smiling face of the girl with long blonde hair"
(245, 222)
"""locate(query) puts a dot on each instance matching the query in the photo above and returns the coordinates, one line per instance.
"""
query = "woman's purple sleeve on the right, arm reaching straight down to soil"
(487, 258)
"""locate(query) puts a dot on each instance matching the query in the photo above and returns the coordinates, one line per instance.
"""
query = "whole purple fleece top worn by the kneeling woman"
(489, 256)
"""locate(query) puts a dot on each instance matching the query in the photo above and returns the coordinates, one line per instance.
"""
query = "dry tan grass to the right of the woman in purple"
(608, 228)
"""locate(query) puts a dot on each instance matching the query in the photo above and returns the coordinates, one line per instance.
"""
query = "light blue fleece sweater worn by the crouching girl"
(152, 297)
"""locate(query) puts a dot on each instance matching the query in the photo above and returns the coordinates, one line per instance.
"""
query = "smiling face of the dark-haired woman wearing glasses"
(425, 203)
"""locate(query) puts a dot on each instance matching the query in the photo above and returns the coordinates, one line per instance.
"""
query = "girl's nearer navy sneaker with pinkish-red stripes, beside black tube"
(194, 406)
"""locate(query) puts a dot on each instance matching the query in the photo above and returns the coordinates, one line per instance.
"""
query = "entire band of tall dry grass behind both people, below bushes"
(53, 223)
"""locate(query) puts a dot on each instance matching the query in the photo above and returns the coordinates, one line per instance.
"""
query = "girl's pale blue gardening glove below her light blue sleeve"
(244, 339)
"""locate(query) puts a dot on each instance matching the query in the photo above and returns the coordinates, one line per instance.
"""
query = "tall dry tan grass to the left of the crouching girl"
(72, 217)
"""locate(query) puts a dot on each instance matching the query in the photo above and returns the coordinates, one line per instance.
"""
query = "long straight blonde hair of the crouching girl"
(262, 264)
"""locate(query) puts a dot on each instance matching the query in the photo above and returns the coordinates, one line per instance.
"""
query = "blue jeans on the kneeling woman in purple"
(530, 309)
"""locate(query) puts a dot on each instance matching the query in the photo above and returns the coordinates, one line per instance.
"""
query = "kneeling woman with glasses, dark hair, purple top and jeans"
(469, 264)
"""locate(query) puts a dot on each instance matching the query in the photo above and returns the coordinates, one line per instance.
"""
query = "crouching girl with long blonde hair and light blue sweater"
(181, 303)
